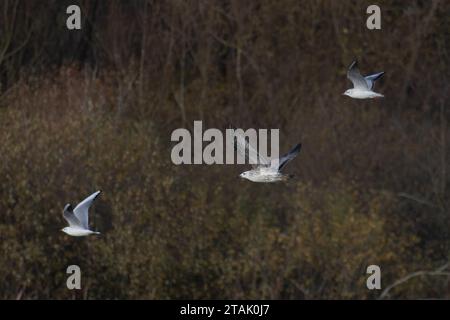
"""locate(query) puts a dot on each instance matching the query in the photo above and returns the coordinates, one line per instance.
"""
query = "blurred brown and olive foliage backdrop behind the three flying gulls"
(94, 109)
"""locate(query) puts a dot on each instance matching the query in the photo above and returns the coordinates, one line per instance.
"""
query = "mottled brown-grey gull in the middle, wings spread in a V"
(265, 170)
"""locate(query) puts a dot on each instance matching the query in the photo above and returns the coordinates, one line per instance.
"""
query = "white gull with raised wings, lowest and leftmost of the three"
(78, 218)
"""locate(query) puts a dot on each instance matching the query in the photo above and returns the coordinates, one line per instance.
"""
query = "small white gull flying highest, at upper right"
(362, 86)
